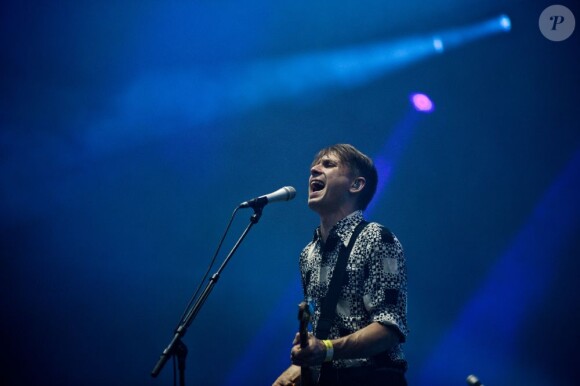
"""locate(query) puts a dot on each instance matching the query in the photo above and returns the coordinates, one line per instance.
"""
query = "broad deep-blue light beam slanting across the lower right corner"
(513, 289)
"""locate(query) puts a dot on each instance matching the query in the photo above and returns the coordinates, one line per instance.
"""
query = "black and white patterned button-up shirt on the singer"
(375, 289)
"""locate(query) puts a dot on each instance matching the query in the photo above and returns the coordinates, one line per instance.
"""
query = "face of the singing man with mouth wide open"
(329, 184)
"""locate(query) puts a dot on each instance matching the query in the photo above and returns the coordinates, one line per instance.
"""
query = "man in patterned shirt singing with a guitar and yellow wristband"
(359, 320)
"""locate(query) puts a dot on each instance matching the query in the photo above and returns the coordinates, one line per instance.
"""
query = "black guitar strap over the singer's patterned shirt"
(328, 306)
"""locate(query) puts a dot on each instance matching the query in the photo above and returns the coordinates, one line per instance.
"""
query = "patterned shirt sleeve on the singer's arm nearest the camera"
(385, 282)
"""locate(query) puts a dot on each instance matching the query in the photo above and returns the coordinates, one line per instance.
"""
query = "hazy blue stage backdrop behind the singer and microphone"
(131, 130)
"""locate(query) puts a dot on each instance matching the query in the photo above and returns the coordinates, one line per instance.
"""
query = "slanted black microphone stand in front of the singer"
(176, 346)
